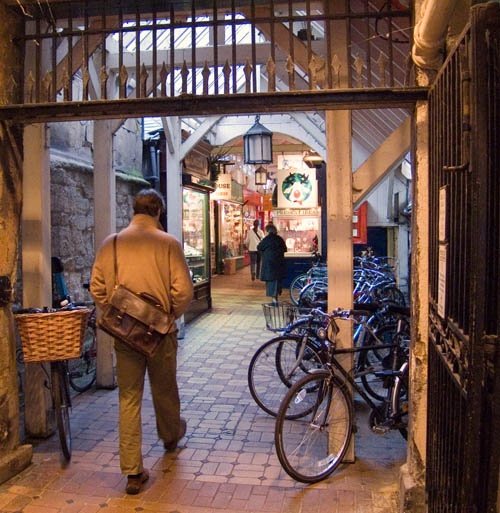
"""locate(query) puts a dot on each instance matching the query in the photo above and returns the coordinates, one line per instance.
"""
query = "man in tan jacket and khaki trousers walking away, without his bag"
(149, 261)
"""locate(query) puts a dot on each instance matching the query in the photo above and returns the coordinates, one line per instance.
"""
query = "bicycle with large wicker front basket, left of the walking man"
(54, 336)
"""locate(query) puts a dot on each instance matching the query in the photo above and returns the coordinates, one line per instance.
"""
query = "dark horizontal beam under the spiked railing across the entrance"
(242, 103)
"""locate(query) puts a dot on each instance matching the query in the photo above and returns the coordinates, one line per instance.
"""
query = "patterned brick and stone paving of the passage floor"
(226, 462)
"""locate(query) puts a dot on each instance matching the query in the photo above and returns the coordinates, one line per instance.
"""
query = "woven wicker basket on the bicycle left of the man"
(53, 335)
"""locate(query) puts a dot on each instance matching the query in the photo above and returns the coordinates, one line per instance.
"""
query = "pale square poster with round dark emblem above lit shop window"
(297, 188)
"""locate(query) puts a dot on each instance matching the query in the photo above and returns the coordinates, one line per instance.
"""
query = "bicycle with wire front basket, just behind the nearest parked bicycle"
(298, 350)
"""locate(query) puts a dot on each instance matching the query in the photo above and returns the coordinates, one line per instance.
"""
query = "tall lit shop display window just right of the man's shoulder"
(195, 233)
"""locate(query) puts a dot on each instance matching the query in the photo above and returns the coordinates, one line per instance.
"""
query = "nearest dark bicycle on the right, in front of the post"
(314, 425)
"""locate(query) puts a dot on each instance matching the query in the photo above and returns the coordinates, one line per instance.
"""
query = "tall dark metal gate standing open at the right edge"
(463, 444)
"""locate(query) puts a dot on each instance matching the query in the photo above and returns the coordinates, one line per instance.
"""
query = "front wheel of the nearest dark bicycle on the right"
(312, 447)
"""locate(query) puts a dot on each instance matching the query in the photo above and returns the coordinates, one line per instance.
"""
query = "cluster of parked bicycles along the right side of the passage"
(305, 379)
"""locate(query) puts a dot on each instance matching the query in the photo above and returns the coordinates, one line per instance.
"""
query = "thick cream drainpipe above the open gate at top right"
(430, 33)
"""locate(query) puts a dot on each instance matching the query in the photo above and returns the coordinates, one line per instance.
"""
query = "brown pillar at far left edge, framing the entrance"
(14, 457)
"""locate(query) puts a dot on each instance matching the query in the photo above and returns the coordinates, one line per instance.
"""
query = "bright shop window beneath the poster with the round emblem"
(298, 232)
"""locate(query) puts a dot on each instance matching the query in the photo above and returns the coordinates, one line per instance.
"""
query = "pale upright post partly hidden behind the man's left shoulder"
(105, 224)
